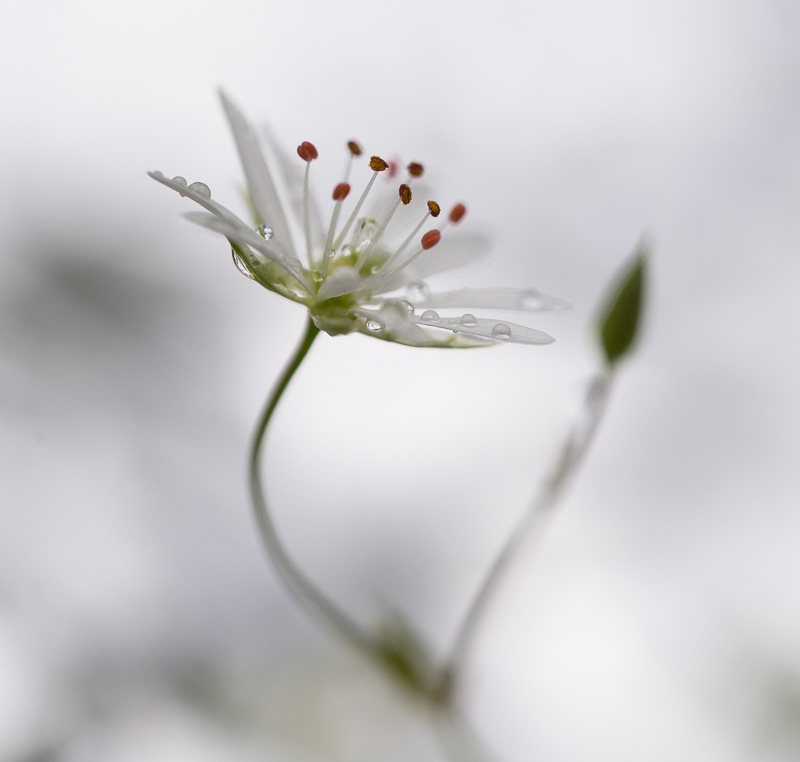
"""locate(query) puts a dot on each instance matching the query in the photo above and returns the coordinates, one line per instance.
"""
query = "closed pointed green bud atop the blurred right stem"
(621, 316)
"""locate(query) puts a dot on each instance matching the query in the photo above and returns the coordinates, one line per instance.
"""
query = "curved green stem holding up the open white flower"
(306, 592)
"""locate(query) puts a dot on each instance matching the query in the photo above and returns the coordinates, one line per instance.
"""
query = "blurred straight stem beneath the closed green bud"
(531, 524)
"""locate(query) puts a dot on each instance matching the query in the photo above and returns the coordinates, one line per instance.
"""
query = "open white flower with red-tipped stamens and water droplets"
(350, 278)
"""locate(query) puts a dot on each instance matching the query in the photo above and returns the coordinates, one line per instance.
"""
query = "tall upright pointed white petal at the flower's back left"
(262, 188)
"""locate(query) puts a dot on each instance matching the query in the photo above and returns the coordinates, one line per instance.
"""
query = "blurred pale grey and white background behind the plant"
(658, 620)
